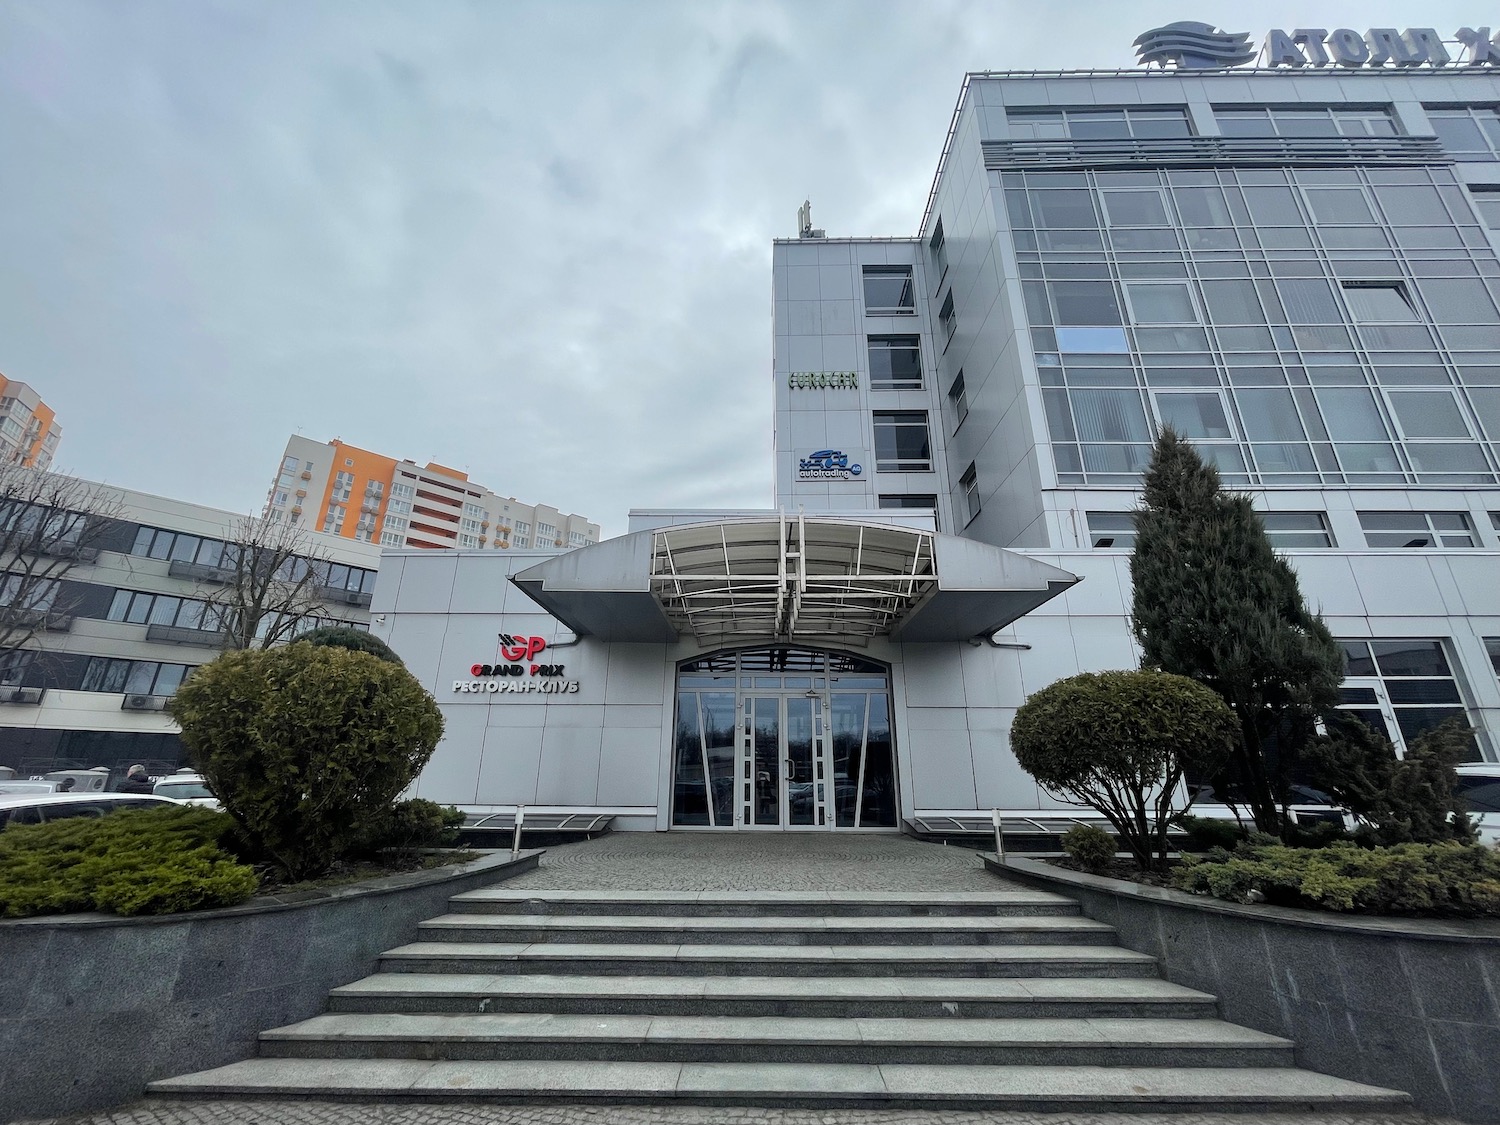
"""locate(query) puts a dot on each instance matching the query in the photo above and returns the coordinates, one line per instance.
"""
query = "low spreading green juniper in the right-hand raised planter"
(1445, 880)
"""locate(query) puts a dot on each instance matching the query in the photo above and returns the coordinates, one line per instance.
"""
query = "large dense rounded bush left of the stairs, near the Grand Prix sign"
(305, 745)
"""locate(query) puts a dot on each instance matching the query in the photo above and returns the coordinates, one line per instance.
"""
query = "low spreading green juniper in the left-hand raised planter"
(137, 862)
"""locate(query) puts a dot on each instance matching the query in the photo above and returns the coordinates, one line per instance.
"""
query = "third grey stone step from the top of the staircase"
(758, 961)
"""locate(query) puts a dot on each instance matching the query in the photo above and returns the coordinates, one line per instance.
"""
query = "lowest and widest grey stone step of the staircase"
(1039, 1090)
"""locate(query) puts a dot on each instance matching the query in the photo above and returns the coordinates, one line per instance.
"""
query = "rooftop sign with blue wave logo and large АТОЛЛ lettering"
(1193, 46)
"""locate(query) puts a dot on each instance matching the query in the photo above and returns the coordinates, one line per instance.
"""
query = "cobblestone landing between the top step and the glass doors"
(751, 862)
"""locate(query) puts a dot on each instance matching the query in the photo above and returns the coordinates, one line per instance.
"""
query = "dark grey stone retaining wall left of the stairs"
(94, 1007)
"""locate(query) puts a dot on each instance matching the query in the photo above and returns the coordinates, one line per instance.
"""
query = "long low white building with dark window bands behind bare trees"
(128, 622)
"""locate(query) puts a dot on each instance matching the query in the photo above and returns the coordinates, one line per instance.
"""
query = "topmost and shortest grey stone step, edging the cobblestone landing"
(755, 904)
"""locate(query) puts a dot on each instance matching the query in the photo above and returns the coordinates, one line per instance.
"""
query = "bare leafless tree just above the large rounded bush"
(268, 587)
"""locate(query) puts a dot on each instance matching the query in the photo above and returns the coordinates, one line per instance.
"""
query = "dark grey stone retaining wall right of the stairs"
(1411, 1004)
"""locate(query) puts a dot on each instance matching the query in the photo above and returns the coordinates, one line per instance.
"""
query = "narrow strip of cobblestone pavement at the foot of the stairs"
(353, 1114)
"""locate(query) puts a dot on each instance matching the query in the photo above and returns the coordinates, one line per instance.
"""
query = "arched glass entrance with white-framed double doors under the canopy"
(784, 739)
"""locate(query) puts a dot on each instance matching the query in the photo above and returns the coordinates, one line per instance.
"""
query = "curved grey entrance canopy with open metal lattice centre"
(835, 581)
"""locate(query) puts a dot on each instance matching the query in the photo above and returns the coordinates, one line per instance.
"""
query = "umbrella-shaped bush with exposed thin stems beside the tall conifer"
(1120, 743)
